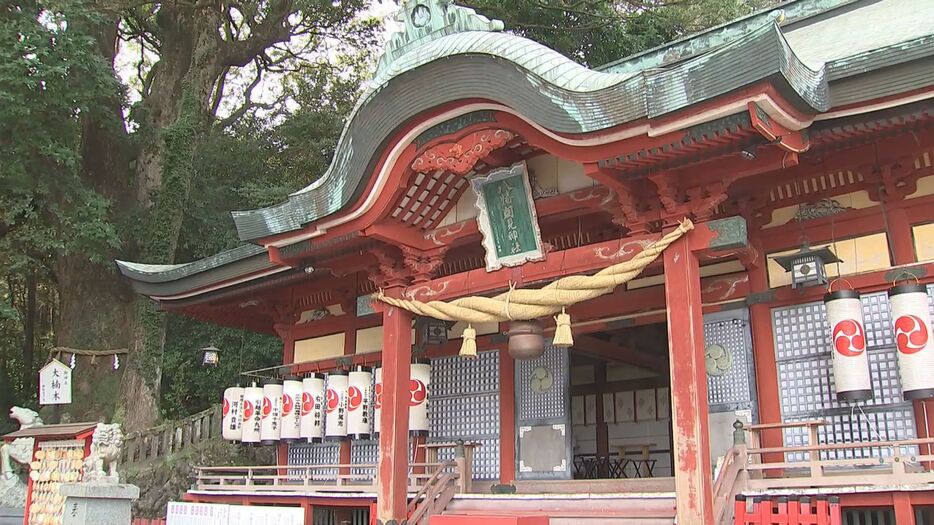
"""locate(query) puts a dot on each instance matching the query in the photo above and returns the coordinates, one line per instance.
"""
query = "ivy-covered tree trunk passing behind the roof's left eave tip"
(179, 105)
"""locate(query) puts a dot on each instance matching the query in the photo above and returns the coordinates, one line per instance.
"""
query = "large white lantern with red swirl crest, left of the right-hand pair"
(848, 342)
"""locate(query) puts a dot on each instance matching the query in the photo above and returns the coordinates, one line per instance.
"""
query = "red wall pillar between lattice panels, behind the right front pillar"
(763, 347)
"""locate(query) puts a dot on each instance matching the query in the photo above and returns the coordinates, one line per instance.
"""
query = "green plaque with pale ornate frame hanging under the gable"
(507, 218)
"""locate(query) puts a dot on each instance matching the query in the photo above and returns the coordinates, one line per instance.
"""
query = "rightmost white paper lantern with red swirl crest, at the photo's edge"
(911, 320)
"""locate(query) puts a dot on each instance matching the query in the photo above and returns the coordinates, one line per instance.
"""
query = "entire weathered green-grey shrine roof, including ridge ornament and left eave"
(818, 53)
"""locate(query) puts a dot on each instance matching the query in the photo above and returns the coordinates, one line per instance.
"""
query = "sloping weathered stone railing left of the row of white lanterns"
(172, 436)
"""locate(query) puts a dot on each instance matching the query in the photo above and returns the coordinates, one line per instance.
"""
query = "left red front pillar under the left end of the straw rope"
(394, 423)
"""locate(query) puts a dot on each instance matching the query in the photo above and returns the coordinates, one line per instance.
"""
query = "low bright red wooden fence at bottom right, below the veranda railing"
(788, 511)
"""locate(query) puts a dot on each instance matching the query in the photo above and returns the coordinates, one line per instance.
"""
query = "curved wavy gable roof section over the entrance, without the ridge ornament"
(541, 84)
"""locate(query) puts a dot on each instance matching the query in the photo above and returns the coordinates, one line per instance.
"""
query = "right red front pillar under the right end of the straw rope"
(691, 437)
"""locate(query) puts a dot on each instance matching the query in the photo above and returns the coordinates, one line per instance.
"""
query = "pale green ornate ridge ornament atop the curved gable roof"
(426, 20)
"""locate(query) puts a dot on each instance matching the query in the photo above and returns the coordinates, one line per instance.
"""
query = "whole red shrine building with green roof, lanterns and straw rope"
(686, 286)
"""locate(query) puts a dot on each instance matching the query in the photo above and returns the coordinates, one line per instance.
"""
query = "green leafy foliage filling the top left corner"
(50, 77)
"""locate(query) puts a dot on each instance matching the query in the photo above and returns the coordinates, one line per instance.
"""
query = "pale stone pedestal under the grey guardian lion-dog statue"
(97, 503)
